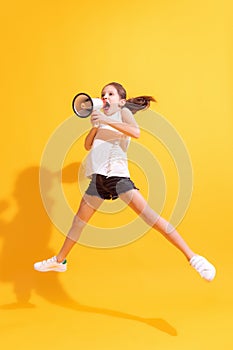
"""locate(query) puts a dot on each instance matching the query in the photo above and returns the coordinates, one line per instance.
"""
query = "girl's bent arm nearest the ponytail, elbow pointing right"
(128, 126)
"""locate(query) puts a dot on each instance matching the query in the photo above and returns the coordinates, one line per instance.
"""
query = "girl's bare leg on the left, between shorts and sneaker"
(88, 206)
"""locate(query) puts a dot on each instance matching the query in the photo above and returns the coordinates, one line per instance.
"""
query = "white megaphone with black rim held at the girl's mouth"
(83, 105)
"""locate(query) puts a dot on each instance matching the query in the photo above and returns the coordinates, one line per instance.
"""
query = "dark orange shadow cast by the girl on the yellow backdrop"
(27, 237)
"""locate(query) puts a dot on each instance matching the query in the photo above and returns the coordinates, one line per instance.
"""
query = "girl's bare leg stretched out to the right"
(136, 201)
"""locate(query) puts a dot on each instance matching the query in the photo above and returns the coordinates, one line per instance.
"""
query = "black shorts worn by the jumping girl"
(109, 187)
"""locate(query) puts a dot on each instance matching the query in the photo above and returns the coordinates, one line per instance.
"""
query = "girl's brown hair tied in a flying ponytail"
(133, 104)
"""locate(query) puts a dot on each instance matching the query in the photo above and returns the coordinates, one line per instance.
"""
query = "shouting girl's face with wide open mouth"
(112, 101)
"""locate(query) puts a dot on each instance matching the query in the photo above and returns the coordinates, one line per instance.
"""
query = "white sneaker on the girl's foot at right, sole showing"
(203, 267)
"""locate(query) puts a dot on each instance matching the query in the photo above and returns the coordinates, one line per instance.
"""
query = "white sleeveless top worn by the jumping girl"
(108, 155)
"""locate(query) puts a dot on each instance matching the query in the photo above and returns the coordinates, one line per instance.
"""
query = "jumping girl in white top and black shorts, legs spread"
(107, 167)
